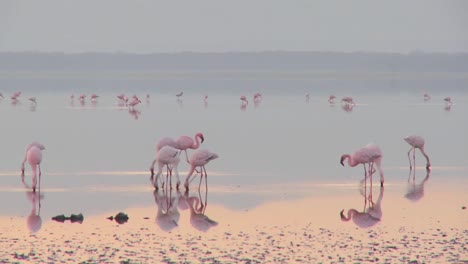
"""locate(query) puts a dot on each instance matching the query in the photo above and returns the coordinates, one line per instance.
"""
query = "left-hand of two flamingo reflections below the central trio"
(167, 216)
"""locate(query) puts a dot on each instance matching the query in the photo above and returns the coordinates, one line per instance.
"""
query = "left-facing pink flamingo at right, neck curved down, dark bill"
(369, 154)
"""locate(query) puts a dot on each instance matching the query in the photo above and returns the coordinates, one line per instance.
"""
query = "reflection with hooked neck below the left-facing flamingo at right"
(371, 214)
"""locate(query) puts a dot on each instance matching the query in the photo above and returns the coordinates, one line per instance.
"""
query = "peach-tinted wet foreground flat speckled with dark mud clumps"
(286, 229)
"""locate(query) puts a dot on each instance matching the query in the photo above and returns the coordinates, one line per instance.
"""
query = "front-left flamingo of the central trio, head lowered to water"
(169, 157)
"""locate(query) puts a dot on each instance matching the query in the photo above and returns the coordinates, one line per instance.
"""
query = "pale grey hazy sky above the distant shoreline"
(145, 26)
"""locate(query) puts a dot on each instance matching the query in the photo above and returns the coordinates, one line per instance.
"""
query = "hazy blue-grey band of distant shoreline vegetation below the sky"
(238, 61)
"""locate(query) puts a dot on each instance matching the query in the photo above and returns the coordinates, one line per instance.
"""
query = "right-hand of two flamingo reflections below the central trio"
(197, 206)
